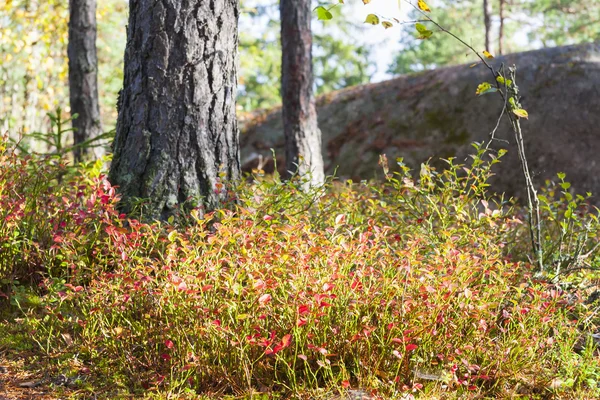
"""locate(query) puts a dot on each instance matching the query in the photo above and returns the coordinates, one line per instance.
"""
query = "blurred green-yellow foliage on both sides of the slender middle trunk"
(339, 60)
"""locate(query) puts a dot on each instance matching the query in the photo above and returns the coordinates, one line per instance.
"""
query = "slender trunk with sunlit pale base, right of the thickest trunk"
(302, 135)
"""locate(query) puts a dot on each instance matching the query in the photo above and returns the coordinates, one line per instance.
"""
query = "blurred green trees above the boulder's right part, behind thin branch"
(519, 26)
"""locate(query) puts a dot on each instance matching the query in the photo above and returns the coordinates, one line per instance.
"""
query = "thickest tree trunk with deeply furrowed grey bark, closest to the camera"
(177, 136)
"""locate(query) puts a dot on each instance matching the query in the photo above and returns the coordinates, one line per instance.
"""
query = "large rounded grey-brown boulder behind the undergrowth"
(437, 114)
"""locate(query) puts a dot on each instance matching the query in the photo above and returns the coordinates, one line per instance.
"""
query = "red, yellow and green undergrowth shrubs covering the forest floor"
(411, 287)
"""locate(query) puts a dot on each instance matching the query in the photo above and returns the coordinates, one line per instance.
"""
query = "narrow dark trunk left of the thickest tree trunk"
(83, 74)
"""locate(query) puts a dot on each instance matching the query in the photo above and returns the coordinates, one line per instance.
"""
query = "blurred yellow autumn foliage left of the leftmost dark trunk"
(33, 65)
